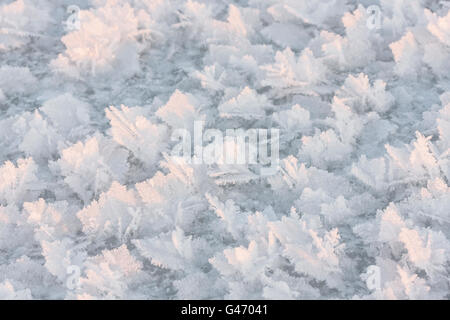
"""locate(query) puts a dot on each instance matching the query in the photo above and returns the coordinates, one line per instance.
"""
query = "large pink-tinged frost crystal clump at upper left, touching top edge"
(105, 41)
